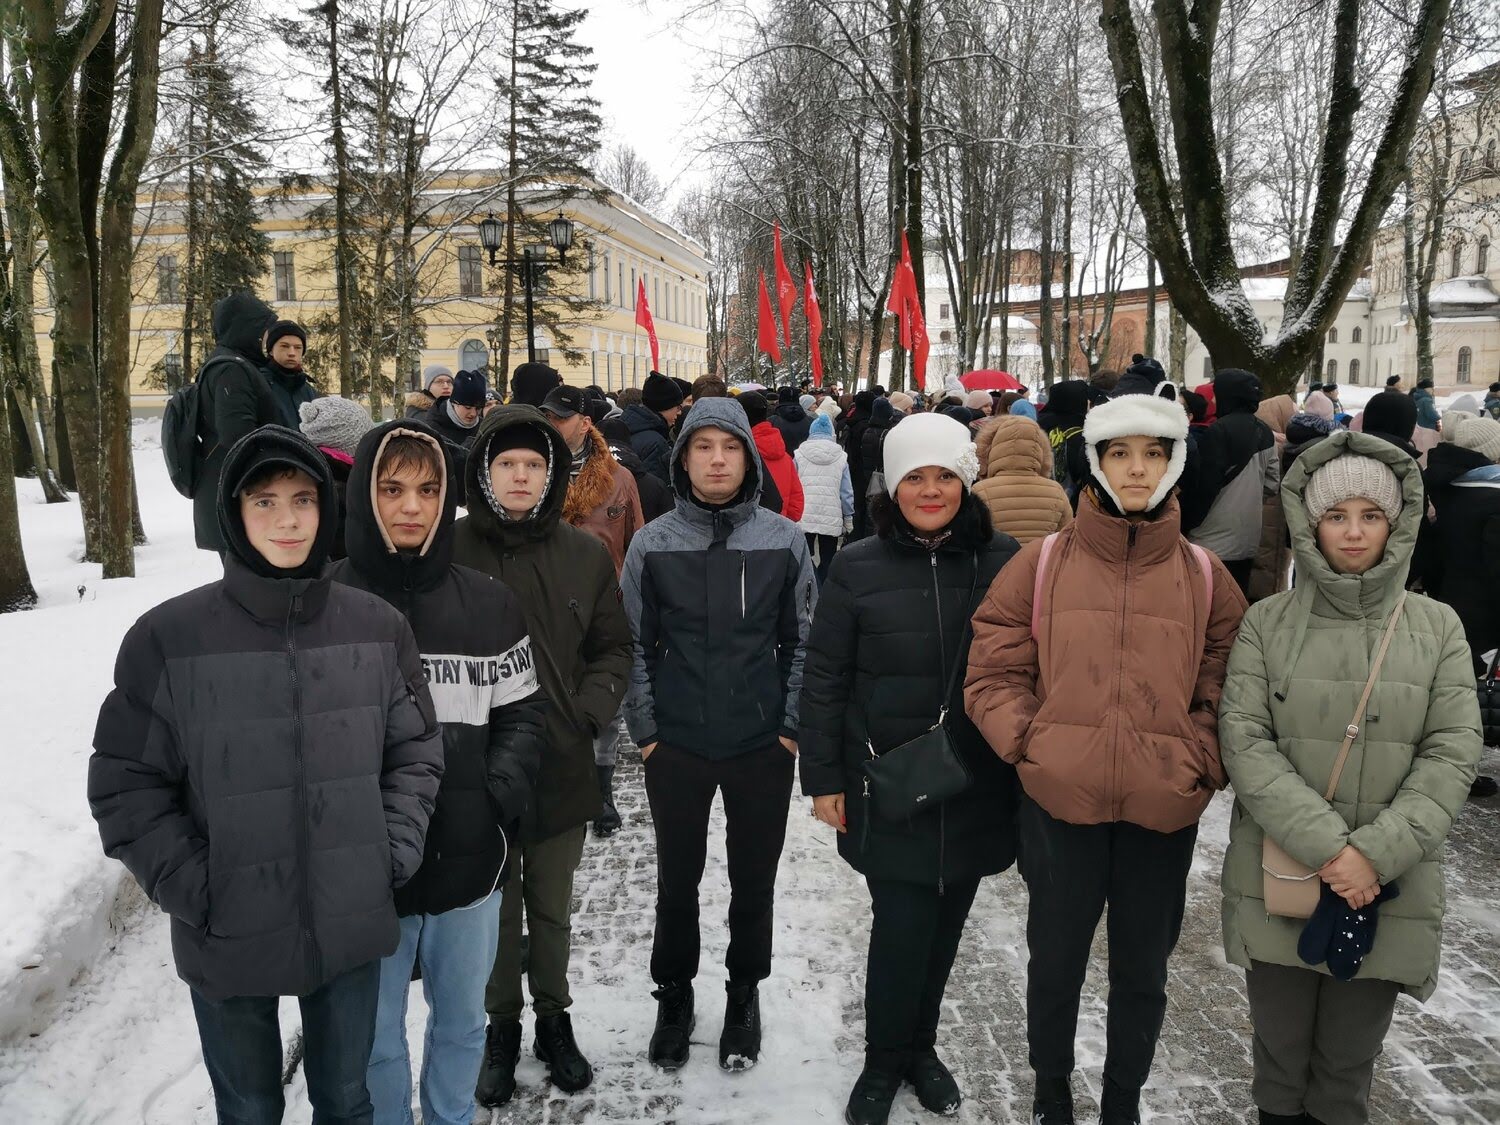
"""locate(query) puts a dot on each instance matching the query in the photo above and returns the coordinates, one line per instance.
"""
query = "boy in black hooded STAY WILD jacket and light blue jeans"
(484, 683)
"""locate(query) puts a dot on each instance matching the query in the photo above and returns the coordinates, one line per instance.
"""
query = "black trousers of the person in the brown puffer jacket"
(1073, 872)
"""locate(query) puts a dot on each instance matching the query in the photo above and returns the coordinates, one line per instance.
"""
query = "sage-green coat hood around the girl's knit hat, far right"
(1354, 596)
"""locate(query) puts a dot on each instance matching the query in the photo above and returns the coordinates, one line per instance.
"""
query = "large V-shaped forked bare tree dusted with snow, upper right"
(1196, 251)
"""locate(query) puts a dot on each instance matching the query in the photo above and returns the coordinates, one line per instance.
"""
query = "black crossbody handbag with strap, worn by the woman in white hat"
(928, 770)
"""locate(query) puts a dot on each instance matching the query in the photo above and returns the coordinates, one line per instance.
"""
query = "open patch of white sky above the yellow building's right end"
(647, 79)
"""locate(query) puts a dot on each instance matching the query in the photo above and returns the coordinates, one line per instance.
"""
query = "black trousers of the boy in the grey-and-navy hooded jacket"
(758, 793)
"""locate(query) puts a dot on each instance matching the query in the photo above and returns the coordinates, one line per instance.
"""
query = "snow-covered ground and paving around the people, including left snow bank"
(118, 1046)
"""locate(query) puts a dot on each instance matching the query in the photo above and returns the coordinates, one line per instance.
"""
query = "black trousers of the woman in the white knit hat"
(914, 940)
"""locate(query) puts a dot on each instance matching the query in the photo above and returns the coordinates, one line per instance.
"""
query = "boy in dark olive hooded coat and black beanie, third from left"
(517, 490)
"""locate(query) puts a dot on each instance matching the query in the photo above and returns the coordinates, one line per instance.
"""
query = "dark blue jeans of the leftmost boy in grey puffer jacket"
(242, 1049)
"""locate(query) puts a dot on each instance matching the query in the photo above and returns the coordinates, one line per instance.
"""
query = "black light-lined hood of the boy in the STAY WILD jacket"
(365, 538)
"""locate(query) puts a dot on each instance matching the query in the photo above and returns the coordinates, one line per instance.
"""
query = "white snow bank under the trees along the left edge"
(59, 887)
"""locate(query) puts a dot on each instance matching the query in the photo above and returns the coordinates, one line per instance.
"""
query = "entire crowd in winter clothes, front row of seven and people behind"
(337, 778)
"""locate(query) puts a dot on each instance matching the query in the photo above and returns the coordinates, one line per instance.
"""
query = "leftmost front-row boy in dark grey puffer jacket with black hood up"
(266, 767)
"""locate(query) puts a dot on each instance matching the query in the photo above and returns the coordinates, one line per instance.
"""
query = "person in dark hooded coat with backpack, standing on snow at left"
(235, 400)
